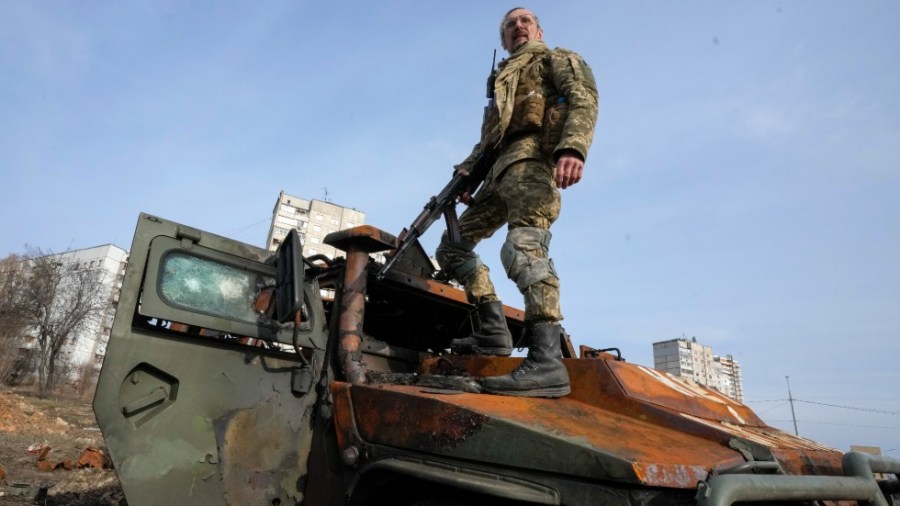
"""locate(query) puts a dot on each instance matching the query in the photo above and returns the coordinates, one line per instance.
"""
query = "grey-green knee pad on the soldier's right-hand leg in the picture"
(523, 266)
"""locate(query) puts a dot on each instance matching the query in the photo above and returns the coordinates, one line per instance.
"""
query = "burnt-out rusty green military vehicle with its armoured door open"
(239, 376)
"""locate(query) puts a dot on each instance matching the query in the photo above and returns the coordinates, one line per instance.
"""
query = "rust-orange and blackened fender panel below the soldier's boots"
(550, 435)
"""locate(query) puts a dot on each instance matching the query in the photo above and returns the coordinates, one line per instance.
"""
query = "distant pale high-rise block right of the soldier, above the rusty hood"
(690, 359)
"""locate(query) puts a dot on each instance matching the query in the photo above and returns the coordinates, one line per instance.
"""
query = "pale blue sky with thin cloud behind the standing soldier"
(742, 188)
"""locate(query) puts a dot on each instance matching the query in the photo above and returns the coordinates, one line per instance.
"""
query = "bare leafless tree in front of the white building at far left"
(57, 299)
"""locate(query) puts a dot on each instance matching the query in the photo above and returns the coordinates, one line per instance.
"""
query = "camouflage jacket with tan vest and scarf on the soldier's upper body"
(545, 102)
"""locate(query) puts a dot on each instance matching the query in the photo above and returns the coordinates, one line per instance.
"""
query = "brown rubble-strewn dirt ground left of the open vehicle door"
(52, 453)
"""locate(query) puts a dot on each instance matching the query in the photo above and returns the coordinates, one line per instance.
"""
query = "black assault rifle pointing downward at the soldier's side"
(444, 203)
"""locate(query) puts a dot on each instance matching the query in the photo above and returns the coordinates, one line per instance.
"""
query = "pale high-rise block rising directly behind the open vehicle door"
(313, 219)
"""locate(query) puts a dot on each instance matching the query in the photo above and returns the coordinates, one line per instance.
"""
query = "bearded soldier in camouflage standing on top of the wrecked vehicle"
(539, 127)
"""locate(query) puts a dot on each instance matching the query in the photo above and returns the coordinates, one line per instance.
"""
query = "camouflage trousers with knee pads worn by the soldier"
(525, 198)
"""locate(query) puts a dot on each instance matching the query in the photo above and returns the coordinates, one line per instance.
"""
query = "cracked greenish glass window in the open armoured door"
(214, 288)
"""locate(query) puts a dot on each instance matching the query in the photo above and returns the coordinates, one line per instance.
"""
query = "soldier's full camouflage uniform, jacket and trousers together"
(545, 105)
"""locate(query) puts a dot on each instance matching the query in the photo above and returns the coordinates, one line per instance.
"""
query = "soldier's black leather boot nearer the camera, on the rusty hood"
(541, 374)
